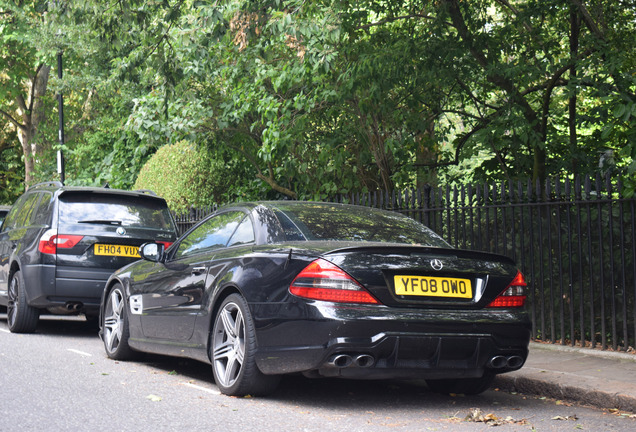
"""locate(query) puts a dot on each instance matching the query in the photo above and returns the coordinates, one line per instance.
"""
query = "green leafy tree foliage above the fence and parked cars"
(310, 99)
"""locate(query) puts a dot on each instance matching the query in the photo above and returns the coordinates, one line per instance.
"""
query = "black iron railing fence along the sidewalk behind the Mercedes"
(573, 240)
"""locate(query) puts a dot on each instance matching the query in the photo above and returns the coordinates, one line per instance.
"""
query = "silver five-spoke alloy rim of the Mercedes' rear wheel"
(228, 346)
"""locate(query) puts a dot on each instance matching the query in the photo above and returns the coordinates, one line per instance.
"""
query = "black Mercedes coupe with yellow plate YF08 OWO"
(263, 289)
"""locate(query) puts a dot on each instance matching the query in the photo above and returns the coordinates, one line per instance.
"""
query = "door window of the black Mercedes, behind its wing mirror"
(212, 234)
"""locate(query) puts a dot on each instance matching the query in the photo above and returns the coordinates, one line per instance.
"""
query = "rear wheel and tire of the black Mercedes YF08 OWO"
(232, 352)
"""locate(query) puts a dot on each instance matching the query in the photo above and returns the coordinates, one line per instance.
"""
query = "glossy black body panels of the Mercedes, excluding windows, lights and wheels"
(299, 335)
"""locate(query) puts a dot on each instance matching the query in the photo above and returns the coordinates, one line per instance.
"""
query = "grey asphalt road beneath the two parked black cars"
(59, 379)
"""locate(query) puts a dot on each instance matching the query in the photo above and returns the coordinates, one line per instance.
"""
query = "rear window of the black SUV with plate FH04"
(114, 210)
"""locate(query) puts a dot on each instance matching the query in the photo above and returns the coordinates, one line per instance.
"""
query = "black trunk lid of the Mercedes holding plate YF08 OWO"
(412, 276)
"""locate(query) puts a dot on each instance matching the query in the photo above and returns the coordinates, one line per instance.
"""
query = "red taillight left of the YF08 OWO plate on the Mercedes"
(322, 280)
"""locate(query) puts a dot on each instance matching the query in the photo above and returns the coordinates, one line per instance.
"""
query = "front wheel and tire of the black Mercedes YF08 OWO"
(115, 326)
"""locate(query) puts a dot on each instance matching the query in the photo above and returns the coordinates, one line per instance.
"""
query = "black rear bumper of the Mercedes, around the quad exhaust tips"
(372, 342)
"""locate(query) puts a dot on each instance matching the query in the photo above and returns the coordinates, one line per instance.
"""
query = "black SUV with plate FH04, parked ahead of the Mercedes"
(59, 245)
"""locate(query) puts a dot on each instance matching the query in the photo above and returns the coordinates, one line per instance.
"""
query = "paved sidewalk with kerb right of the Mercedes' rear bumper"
(599, 378)
